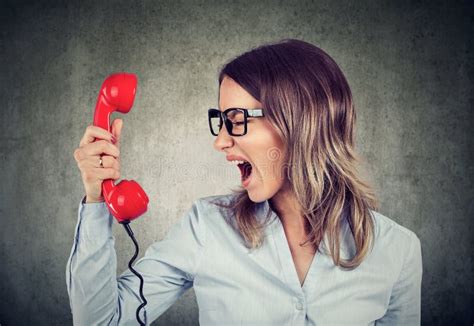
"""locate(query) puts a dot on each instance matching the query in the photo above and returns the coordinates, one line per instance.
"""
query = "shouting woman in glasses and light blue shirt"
(299, 243)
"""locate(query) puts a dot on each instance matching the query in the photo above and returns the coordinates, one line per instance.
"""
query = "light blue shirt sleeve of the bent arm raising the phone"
(168, 268)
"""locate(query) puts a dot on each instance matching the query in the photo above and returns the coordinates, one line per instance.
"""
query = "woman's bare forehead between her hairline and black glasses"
(232, 95)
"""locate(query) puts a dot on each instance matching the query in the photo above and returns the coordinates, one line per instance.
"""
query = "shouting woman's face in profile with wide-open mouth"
(261, 146)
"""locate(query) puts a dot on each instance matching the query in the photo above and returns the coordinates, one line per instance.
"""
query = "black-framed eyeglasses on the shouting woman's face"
(235, 120)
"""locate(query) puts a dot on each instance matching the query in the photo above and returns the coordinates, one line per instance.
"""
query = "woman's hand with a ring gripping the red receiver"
(88, 157)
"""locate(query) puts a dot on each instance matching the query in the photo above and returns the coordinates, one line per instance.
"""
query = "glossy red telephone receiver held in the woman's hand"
(126, 200)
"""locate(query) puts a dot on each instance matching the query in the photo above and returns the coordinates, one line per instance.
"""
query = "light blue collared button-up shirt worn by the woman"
(237, 286)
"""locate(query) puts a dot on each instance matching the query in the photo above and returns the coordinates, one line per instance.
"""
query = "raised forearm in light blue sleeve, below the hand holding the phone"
(91, 267)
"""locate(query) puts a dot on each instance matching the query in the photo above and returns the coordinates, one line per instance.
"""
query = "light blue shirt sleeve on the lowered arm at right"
(405, 301)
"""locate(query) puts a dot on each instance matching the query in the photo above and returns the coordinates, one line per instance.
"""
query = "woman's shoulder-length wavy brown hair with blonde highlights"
(307, 99)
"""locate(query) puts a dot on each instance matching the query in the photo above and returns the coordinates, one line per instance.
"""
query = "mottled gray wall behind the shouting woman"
(409, 66)
